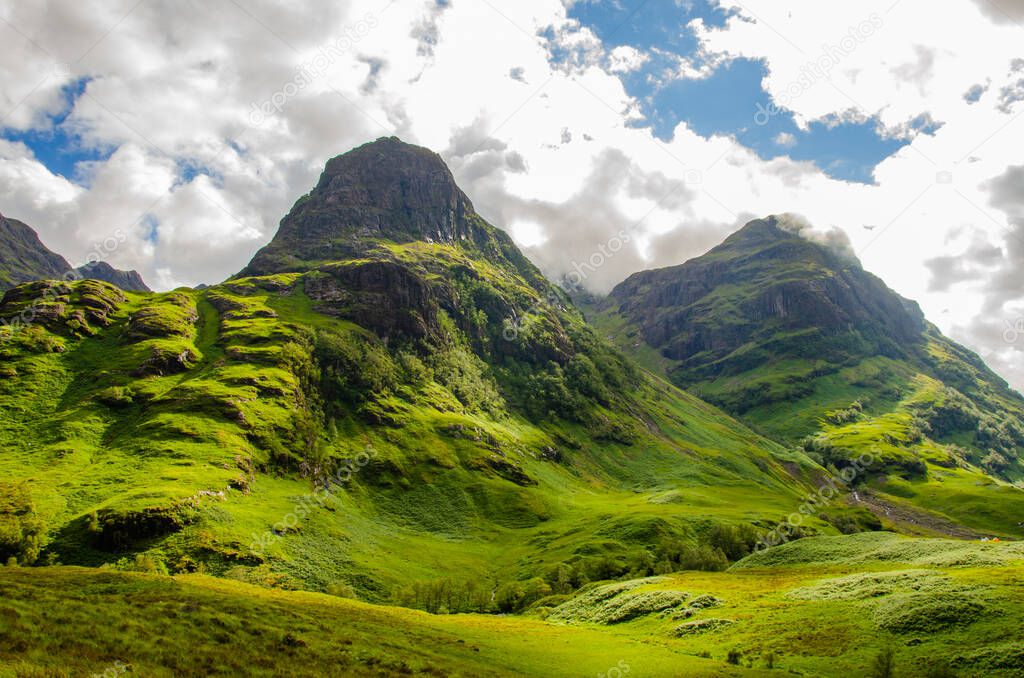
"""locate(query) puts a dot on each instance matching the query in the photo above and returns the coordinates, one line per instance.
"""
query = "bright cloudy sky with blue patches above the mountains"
(191, 128)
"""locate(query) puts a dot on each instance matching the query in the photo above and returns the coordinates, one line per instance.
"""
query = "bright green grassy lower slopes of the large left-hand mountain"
(239, 432)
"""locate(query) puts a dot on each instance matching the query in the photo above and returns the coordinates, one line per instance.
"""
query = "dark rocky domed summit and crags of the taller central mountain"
(388, 240)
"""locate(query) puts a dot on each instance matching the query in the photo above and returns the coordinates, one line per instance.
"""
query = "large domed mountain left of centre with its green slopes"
(404, 404)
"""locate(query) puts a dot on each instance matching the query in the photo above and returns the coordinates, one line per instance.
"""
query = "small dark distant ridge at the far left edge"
(25, 259)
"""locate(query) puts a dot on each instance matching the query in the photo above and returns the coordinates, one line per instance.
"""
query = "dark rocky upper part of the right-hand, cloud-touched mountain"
(761, 282)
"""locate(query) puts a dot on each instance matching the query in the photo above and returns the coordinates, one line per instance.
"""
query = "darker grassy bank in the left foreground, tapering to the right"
(201, 626)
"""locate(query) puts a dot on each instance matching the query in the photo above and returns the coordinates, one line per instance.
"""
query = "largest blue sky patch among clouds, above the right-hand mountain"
(732, 101)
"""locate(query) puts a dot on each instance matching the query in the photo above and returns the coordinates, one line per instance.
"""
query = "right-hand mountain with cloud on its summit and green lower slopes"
(794, 337)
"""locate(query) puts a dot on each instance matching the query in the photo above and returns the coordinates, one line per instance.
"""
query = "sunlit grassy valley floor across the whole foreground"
(820, 607)
